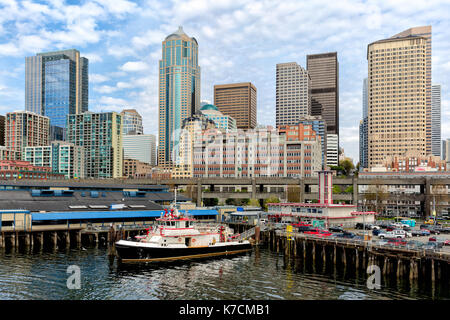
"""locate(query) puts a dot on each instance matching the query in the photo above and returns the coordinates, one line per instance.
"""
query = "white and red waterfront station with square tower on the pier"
(324, 213)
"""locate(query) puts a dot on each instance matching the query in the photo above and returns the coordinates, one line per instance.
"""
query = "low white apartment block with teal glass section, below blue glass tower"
(63, 157)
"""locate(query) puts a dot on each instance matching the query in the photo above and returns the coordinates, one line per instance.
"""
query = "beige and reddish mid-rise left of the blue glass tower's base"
(25, 129)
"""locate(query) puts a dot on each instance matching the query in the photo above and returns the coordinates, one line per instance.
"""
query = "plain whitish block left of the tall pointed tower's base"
(140, 147)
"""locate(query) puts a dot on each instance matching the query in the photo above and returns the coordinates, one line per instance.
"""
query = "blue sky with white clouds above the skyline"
(239, 41)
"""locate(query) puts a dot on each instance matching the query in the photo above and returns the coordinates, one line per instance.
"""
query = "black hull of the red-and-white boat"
(142, 254)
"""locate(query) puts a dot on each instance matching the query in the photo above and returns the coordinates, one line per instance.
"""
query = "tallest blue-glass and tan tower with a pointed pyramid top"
(179, 91)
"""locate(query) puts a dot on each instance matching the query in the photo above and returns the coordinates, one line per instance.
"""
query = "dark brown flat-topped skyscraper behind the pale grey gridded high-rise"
(323, 68)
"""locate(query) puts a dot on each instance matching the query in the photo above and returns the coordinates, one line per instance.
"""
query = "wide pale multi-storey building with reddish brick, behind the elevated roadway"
(262, 152)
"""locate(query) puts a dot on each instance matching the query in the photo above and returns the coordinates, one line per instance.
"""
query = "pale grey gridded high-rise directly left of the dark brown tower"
(293, 93)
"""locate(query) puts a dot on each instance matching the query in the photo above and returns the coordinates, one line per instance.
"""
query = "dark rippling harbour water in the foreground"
(261, 274)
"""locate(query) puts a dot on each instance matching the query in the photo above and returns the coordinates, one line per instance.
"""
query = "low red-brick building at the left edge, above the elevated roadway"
(19, 169)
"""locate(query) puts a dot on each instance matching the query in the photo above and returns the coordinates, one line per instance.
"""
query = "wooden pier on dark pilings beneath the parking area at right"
(358, 255)
